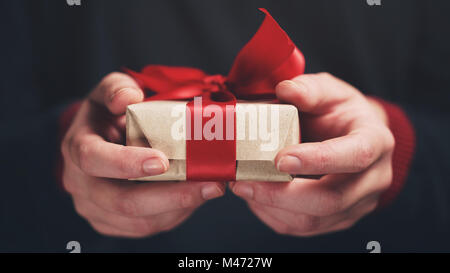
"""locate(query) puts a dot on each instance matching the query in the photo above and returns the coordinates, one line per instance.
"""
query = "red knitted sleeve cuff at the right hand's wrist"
(404, 136)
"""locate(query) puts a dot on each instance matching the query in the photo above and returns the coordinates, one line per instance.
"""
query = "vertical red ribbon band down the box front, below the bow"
(211, 156)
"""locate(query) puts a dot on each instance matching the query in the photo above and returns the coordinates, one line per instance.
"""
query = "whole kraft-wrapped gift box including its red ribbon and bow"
(214, 127)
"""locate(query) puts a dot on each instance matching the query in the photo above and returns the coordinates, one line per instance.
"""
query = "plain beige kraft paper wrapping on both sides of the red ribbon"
(150, 124)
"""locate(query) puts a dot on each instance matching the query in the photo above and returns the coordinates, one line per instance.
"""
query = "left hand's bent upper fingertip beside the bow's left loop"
(116, 91)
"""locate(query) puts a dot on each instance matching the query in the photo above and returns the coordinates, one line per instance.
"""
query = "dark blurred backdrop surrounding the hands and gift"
(53, 54)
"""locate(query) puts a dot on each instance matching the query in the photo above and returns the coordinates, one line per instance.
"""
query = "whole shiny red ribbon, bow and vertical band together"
(267, 59)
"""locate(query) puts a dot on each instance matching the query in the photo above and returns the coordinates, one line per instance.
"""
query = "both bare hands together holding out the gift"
(349, 143)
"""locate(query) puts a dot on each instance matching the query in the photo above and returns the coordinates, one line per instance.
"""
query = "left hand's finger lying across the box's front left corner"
(96, 157)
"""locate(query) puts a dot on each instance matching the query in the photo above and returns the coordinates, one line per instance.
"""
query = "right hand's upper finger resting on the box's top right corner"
(314, 93)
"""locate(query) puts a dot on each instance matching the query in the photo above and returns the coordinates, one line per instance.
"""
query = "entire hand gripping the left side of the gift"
(96, 167)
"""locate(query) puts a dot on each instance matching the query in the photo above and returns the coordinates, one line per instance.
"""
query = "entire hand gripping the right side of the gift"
(349, 142)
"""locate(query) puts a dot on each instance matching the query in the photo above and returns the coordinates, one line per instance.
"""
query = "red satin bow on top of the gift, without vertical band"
(269, 57)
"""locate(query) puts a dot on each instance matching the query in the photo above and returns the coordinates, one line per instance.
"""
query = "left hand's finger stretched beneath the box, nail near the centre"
(152, 198)
